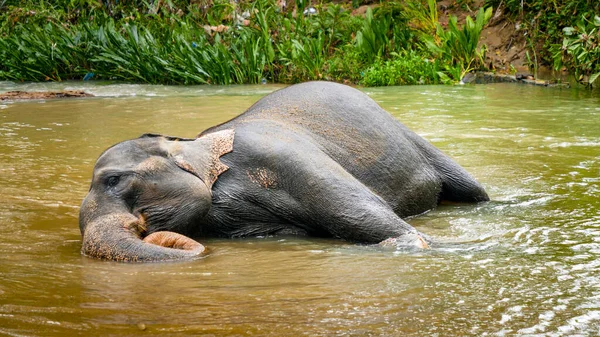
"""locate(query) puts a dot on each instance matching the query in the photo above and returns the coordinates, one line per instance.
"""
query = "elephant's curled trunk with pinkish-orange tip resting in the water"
(117, 237)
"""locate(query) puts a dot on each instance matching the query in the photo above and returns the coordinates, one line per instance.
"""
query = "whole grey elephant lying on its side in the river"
(316, 158)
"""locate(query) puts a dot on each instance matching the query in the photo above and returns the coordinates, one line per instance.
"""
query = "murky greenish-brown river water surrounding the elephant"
(525, 264)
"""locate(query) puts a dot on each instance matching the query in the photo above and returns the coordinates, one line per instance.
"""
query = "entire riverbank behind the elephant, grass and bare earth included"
(218, 42)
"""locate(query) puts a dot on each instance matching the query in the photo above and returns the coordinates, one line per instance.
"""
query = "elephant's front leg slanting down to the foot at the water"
(334, 200)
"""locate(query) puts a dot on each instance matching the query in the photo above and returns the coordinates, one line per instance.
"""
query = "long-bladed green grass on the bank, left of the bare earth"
(174, 44)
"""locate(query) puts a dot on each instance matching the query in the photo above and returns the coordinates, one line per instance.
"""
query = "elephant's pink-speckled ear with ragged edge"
(201, 156)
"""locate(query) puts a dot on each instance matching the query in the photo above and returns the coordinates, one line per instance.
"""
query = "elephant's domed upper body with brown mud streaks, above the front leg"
(350, 126)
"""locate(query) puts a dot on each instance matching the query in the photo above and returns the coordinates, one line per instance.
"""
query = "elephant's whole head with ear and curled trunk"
(148, 194)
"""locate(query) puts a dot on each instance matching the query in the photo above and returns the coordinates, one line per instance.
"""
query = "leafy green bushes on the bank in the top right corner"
(561, 34)
